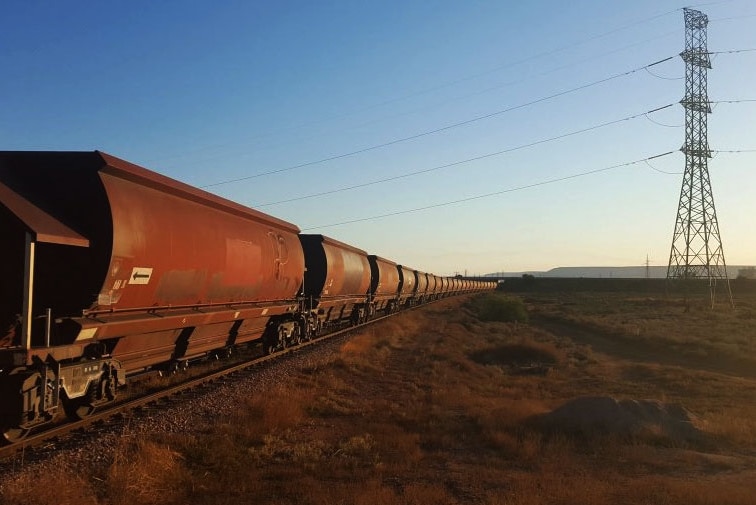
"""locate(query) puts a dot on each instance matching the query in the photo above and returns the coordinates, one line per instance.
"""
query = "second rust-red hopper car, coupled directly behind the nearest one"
(336, 282)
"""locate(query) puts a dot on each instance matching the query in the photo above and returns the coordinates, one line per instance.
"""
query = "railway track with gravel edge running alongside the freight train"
(50, 437)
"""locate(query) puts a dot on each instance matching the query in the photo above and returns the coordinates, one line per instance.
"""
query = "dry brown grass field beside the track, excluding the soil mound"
(437, 406)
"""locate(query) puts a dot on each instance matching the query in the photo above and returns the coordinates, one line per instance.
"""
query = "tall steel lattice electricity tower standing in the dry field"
(696, 245)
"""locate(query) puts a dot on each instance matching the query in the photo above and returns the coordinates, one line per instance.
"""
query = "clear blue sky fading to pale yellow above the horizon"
(208, 92)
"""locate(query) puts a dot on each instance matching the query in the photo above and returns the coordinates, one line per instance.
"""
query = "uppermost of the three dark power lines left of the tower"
(441, 129)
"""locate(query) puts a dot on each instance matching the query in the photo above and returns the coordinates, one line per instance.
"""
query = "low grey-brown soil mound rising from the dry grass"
(597, 415)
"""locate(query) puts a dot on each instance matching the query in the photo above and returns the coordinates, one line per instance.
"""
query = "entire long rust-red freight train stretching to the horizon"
(109, 269)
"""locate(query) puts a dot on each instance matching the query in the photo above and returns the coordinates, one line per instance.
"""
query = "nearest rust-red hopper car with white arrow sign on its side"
(135, 268)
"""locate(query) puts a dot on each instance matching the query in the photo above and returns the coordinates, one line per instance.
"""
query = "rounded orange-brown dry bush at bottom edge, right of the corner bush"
(147, 473)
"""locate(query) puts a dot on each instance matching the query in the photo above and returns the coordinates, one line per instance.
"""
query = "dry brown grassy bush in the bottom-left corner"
(59, 487)
